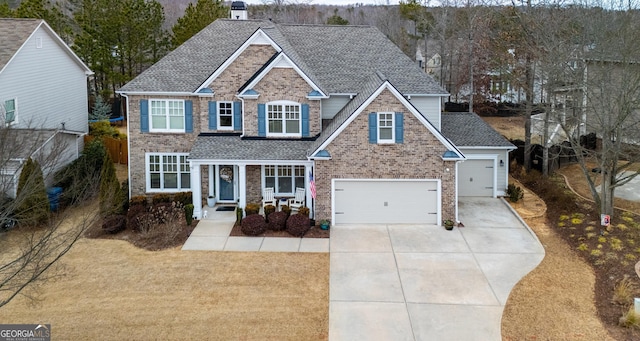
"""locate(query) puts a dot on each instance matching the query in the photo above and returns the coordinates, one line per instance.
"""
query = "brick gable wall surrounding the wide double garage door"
(353, 157)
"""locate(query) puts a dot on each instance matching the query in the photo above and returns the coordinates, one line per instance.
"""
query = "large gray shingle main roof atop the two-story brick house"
(337, 58)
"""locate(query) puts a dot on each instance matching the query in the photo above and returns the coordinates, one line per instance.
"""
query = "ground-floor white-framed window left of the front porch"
(168, 172)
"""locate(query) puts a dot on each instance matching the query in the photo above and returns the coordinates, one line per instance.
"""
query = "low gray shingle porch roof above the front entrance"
(217, 147)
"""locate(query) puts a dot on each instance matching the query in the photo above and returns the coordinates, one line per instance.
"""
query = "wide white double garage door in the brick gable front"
(385, 201)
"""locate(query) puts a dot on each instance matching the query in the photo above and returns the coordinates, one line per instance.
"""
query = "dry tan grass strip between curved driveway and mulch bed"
(556, 300)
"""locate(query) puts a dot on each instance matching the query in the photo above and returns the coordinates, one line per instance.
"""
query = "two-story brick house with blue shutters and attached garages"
(247, 104)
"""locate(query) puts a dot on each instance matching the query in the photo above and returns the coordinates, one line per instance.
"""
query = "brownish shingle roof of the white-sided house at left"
(13, 34)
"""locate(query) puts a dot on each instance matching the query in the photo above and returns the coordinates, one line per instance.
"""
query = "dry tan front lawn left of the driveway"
(112, 290)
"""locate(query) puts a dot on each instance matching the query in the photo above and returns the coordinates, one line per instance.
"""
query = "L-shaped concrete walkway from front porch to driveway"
(212, 233)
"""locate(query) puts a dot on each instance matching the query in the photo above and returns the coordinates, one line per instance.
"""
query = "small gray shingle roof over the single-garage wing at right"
(469, 130)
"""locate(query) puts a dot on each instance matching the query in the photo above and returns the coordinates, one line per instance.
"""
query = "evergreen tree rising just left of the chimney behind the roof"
(196, 18)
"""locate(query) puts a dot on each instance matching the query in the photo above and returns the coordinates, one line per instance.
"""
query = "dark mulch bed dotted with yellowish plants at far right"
(577, 222)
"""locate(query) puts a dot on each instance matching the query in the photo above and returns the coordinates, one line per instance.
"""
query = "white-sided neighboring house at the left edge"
(43, 99)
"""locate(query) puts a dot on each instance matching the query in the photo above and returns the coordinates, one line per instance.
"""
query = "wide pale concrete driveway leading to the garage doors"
(422, 282)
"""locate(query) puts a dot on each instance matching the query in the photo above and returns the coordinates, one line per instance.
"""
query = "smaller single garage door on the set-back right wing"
(475, 178)
